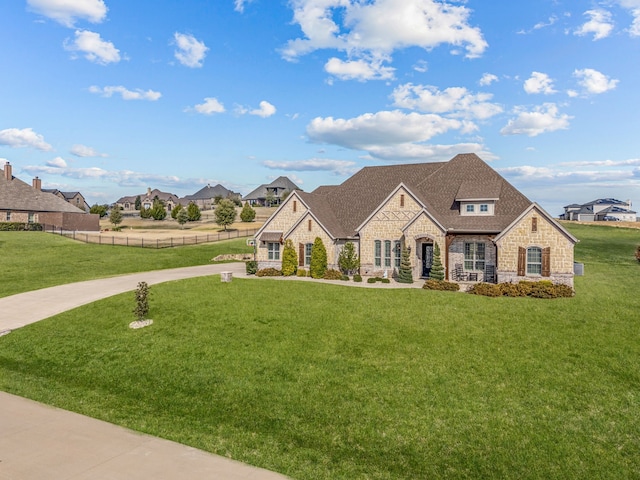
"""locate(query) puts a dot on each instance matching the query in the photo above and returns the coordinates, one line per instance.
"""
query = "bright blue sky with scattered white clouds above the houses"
(110, 97)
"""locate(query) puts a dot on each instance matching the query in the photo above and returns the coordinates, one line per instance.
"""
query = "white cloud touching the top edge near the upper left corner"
(67, 12)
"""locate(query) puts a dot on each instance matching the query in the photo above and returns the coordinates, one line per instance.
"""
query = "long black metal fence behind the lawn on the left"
(142, 242)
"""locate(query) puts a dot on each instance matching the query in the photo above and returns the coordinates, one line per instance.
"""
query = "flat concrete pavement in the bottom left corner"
(39, 442)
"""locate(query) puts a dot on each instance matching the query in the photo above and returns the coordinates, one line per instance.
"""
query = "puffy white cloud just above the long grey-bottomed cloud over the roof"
(455, 101)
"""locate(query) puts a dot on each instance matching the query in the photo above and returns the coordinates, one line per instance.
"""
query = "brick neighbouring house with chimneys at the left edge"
(20, 202)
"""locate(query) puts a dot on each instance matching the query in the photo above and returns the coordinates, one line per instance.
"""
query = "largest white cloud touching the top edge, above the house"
(374, 30)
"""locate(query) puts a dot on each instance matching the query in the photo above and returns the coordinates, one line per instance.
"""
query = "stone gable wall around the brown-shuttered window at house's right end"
(547, 235)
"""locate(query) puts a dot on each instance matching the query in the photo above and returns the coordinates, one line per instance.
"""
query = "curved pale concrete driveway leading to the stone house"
(19, 310)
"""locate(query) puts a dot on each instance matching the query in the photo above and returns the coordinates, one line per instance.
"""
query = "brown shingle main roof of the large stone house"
(437, 185)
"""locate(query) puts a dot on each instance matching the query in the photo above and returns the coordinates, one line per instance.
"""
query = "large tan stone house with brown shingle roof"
(485, 228)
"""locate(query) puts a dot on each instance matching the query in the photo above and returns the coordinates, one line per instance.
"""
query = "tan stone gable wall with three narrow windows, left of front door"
(386, 224)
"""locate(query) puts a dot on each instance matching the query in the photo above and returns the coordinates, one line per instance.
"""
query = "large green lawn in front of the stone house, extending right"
(326, 382)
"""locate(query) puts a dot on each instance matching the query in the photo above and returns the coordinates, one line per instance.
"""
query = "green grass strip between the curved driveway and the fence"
(33, 260)
